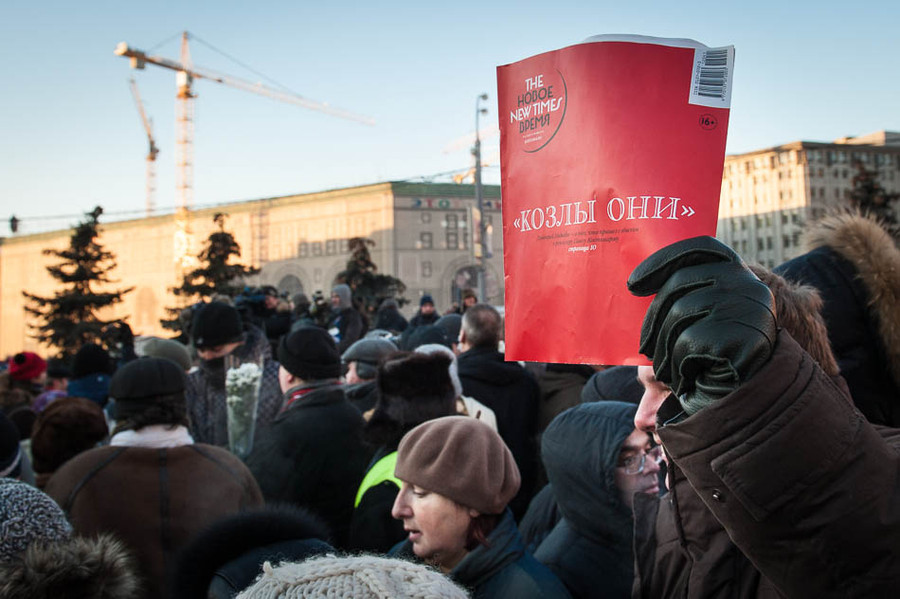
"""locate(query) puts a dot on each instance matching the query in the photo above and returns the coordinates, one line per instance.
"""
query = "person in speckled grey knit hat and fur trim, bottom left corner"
(41, 558)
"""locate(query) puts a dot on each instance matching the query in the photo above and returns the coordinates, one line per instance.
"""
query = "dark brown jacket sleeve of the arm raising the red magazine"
(804, 485)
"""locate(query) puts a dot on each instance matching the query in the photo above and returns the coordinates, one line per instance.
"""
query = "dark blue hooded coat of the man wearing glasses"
(590, 548)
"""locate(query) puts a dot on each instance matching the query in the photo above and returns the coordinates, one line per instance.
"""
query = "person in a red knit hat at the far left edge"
(19, 386)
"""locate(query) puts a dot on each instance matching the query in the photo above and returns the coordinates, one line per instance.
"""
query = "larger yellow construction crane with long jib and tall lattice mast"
(185, 73)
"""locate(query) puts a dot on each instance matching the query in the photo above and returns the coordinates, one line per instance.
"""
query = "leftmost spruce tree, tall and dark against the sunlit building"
(69, 319)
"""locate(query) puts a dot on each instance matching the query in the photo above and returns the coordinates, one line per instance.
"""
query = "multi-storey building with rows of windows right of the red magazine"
(768, 195)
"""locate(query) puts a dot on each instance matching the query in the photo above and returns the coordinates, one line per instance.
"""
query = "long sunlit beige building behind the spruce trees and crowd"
(422, 234)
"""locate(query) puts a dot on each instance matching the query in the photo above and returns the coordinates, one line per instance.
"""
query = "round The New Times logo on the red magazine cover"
(539, 111)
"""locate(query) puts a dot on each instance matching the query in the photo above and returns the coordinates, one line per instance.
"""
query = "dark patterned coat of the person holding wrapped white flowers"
(205, 392)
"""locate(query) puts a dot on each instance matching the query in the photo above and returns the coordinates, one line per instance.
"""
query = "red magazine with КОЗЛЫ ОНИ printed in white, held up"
(609, 149)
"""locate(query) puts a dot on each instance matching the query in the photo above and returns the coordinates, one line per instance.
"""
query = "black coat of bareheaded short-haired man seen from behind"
(513, 395)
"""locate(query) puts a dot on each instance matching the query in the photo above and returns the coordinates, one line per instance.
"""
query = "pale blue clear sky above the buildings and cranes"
(70, 136)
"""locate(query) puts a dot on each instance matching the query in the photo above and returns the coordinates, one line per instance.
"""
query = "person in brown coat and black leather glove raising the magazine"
(801, 482)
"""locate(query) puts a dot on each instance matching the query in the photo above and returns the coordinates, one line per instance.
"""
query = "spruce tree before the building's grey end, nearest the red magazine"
(369, 286)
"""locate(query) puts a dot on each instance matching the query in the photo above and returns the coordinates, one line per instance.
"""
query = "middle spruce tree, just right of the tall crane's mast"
(217, 274)
